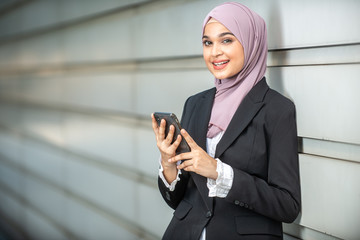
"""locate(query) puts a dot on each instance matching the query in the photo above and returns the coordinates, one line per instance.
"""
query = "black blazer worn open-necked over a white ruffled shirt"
(260, 144)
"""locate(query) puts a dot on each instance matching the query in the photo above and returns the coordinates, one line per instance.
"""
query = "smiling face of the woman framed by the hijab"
(223, 53)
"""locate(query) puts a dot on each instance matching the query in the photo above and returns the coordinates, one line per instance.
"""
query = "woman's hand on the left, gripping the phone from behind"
(167, 150)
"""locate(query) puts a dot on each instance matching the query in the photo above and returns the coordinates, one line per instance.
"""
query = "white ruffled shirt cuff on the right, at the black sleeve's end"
(222, 185)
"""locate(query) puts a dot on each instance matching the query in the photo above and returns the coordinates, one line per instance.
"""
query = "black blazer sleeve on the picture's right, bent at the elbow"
(278, 196)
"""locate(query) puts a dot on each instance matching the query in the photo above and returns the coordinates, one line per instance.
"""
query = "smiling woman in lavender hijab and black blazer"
(241, 178)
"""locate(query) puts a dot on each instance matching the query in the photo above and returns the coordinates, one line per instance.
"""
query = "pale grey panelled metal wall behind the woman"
(79, 79)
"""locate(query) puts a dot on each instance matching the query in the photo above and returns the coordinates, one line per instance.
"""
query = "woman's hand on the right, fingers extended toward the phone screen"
(197, 160)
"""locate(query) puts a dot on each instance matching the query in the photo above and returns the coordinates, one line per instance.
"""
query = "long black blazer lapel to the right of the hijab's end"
(247, 110)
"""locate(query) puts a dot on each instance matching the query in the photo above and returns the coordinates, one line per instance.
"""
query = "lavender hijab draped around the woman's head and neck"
(250, 29)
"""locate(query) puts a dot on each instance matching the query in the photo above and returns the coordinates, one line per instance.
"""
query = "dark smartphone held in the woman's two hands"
(171, 119)
